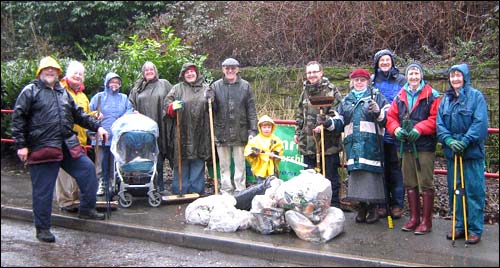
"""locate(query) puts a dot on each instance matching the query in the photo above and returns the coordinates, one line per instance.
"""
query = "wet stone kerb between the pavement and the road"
(208, 242)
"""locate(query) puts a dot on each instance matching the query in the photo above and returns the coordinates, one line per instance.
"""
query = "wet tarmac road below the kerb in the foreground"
(77, 248)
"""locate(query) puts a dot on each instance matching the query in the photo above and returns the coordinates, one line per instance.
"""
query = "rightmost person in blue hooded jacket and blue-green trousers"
(462, 126)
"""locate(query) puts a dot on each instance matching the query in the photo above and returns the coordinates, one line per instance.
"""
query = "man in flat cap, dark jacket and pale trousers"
(235, 123)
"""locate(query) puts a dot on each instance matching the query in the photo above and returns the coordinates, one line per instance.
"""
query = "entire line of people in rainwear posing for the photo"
(391, 124)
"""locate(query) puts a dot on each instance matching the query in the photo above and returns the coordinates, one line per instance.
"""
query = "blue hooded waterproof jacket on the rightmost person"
(464, 118)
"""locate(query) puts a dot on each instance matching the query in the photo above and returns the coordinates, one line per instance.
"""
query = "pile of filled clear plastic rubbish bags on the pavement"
(301, 204)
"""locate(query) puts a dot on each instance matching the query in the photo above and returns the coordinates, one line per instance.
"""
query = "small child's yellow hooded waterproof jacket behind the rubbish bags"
(262, 165)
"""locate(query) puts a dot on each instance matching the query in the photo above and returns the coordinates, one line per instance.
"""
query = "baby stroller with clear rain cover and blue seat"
(135, 150)
